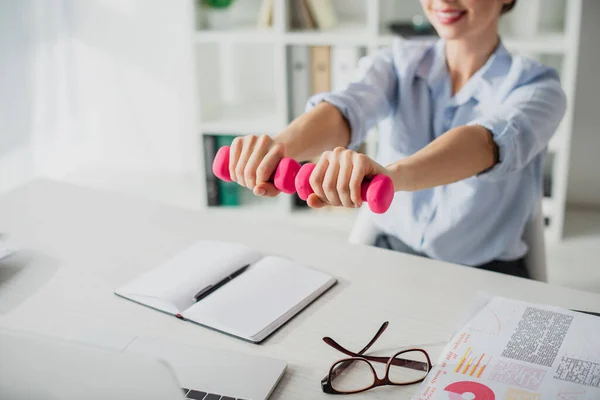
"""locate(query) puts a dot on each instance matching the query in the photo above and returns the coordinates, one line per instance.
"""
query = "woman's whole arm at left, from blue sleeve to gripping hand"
(333, 119)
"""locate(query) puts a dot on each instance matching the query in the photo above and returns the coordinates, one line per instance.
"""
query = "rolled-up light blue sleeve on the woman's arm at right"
(524, 124)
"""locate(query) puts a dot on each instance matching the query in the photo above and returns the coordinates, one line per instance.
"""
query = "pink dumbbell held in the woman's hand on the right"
(377, 192)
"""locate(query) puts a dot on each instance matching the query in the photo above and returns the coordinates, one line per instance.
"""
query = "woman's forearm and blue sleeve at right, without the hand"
(491, 146)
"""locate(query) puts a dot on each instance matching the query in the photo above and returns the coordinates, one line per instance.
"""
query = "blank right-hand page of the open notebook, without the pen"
(257, 298)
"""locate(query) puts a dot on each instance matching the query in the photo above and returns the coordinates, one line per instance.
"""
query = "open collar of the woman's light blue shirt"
(434, 71)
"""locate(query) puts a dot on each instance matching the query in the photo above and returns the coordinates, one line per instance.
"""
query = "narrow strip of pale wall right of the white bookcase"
(584, 173)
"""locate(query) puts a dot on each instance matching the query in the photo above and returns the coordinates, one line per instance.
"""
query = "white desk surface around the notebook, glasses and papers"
(79, 244)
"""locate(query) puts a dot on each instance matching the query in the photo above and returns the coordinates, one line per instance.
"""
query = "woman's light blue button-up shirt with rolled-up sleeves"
(406, 89)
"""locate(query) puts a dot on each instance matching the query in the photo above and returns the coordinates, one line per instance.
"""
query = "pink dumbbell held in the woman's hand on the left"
(283, 178)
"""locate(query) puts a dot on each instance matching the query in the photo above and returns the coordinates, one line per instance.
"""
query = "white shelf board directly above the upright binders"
(352, 33)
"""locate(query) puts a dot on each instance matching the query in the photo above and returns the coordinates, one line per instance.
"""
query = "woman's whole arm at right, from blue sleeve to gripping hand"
(490, 147)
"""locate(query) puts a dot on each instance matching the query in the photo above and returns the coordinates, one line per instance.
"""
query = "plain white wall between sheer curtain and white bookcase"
(135, 82)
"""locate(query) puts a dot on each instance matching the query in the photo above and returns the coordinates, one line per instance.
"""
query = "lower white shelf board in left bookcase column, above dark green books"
(250, 118)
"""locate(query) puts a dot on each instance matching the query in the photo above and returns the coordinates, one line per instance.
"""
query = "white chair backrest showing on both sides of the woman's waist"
(364, 231)
